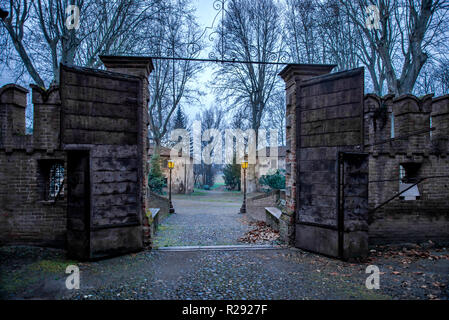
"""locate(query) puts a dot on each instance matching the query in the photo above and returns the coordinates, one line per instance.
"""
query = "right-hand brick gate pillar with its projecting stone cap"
(293, 74)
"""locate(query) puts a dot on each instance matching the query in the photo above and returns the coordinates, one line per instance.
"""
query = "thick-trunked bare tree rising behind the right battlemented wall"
(410, 30)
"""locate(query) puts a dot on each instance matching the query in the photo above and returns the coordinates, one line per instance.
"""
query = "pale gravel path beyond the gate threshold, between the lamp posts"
(203, 219)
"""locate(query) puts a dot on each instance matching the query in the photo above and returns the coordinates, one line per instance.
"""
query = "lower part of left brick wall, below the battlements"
(24, 215)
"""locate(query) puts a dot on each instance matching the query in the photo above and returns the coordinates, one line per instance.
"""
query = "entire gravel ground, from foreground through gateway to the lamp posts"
(413, 272)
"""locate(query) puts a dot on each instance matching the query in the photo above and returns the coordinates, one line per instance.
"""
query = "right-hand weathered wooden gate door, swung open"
(329, 116)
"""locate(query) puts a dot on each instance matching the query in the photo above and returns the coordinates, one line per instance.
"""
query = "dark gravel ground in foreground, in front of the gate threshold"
(32, 273)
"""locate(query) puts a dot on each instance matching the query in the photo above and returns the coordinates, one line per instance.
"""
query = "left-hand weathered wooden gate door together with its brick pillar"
(113, 145)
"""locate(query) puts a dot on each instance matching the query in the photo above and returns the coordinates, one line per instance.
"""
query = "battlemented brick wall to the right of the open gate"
(401, 220)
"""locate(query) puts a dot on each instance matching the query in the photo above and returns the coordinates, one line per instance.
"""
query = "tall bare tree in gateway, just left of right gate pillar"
(252, 32)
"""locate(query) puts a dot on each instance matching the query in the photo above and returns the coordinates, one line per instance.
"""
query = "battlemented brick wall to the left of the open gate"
(24, 215)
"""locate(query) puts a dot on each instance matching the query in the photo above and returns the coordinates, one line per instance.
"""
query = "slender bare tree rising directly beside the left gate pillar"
(176, 35)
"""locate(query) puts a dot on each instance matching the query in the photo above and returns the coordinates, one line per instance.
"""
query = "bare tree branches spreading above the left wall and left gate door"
(42, 40)
